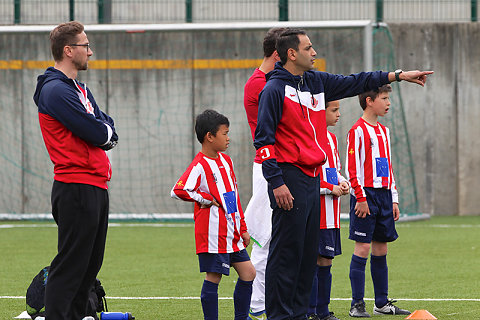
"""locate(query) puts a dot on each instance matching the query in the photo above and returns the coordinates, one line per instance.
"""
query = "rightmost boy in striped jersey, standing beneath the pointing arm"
(373, 203)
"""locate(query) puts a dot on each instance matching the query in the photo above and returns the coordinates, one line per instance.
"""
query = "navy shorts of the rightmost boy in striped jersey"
(379, 225)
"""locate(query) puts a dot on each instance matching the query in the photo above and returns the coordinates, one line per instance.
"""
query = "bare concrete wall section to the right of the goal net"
(443, 118)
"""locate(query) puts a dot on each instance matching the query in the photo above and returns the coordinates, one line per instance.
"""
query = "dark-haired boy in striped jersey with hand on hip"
(220, 231)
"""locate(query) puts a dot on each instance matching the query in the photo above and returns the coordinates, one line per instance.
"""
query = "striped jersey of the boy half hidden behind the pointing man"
(330, 204)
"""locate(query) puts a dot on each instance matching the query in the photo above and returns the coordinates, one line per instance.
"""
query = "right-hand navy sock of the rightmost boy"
(379, 270)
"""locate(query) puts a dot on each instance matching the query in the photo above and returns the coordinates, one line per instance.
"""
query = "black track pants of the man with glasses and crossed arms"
(81, 213)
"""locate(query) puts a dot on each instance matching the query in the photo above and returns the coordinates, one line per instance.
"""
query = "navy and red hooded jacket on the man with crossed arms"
(74, 129)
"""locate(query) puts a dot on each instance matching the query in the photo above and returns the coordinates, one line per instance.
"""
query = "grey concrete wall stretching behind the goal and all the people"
(154, 110)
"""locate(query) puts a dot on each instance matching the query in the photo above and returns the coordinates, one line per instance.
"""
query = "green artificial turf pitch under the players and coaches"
(430, 264)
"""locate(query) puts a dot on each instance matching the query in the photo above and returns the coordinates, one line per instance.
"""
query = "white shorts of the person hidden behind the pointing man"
(258, 215)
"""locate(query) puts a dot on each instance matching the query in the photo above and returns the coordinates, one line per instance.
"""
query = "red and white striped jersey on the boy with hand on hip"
(217, 229)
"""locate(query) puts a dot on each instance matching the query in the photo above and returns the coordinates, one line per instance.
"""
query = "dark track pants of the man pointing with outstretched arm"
(293, 248)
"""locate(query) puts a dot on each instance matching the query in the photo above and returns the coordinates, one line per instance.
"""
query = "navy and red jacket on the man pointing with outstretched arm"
(291, 124)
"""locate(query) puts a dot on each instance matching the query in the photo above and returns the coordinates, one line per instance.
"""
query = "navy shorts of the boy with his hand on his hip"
(221, 262)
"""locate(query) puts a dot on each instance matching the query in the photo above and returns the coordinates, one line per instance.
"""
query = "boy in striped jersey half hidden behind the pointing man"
(332, 186)
